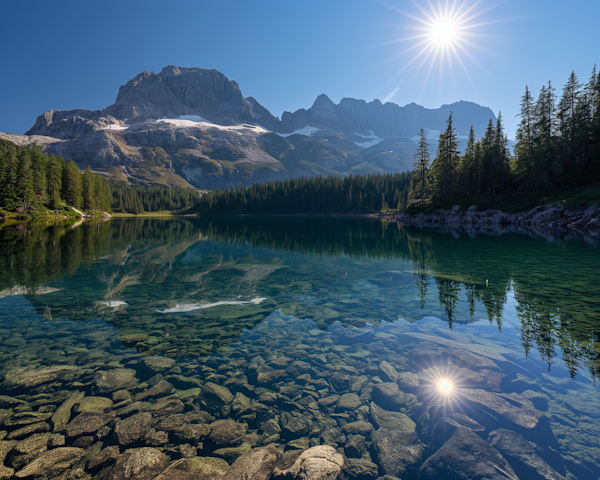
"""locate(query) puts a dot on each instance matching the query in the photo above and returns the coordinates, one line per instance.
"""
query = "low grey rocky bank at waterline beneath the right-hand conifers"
(548, 216)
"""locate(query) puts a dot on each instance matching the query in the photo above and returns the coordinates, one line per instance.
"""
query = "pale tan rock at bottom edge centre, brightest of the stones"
(316, 463)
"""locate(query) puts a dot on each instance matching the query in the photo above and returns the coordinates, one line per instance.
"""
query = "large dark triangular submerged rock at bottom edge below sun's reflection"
(466, 455)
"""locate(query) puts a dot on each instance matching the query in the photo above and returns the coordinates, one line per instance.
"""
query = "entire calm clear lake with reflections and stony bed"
(414, 352)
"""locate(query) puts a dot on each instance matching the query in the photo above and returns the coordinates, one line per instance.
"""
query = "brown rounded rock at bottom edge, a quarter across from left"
(143, 464)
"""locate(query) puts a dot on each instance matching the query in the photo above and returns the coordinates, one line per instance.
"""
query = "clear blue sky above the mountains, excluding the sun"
(76, 54)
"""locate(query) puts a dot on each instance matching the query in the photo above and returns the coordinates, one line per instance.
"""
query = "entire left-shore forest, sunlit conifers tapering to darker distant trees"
(33, 182)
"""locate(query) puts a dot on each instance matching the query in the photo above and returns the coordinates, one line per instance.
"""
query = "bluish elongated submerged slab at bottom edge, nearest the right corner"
(524, 457)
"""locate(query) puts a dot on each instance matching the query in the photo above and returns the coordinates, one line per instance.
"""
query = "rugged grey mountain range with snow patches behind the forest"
(191, 126)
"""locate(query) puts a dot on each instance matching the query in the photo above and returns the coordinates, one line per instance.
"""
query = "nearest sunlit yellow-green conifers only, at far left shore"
(31, 181)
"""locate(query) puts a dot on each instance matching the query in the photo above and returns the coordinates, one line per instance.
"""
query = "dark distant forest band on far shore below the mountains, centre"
(335, 194)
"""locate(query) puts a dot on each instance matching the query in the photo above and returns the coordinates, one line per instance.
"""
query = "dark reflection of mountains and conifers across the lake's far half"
(171, 263)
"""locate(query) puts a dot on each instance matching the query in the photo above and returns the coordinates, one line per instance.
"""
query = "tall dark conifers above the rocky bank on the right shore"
(558, 147)
